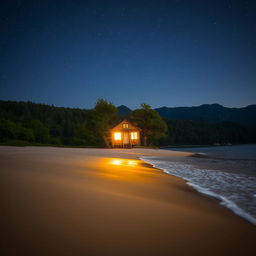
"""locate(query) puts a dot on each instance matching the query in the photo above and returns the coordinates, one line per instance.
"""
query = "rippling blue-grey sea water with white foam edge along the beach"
(227, 173)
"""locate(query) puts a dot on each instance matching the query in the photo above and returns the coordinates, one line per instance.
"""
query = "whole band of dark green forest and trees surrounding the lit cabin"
(27, 123)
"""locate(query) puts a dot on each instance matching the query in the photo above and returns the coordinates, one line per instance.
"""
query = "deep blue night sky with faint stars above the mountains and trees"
(164, 53)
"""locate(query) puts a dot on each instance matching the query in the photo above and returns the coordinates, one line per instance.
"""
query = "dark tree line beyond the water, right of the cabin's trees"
(196, 132)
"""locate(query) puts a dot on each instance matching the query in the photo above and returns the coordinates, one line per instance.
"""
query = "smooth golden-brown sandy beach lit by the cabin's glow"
(66, 201)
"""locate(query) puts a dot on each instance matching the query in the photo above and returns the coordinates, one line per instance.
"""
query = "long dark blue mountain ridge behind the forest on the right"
(211, 112)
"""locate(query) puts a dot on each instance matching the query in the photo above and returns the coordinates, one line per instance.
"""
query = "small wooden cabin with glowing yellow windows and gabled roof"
(125, 134)
